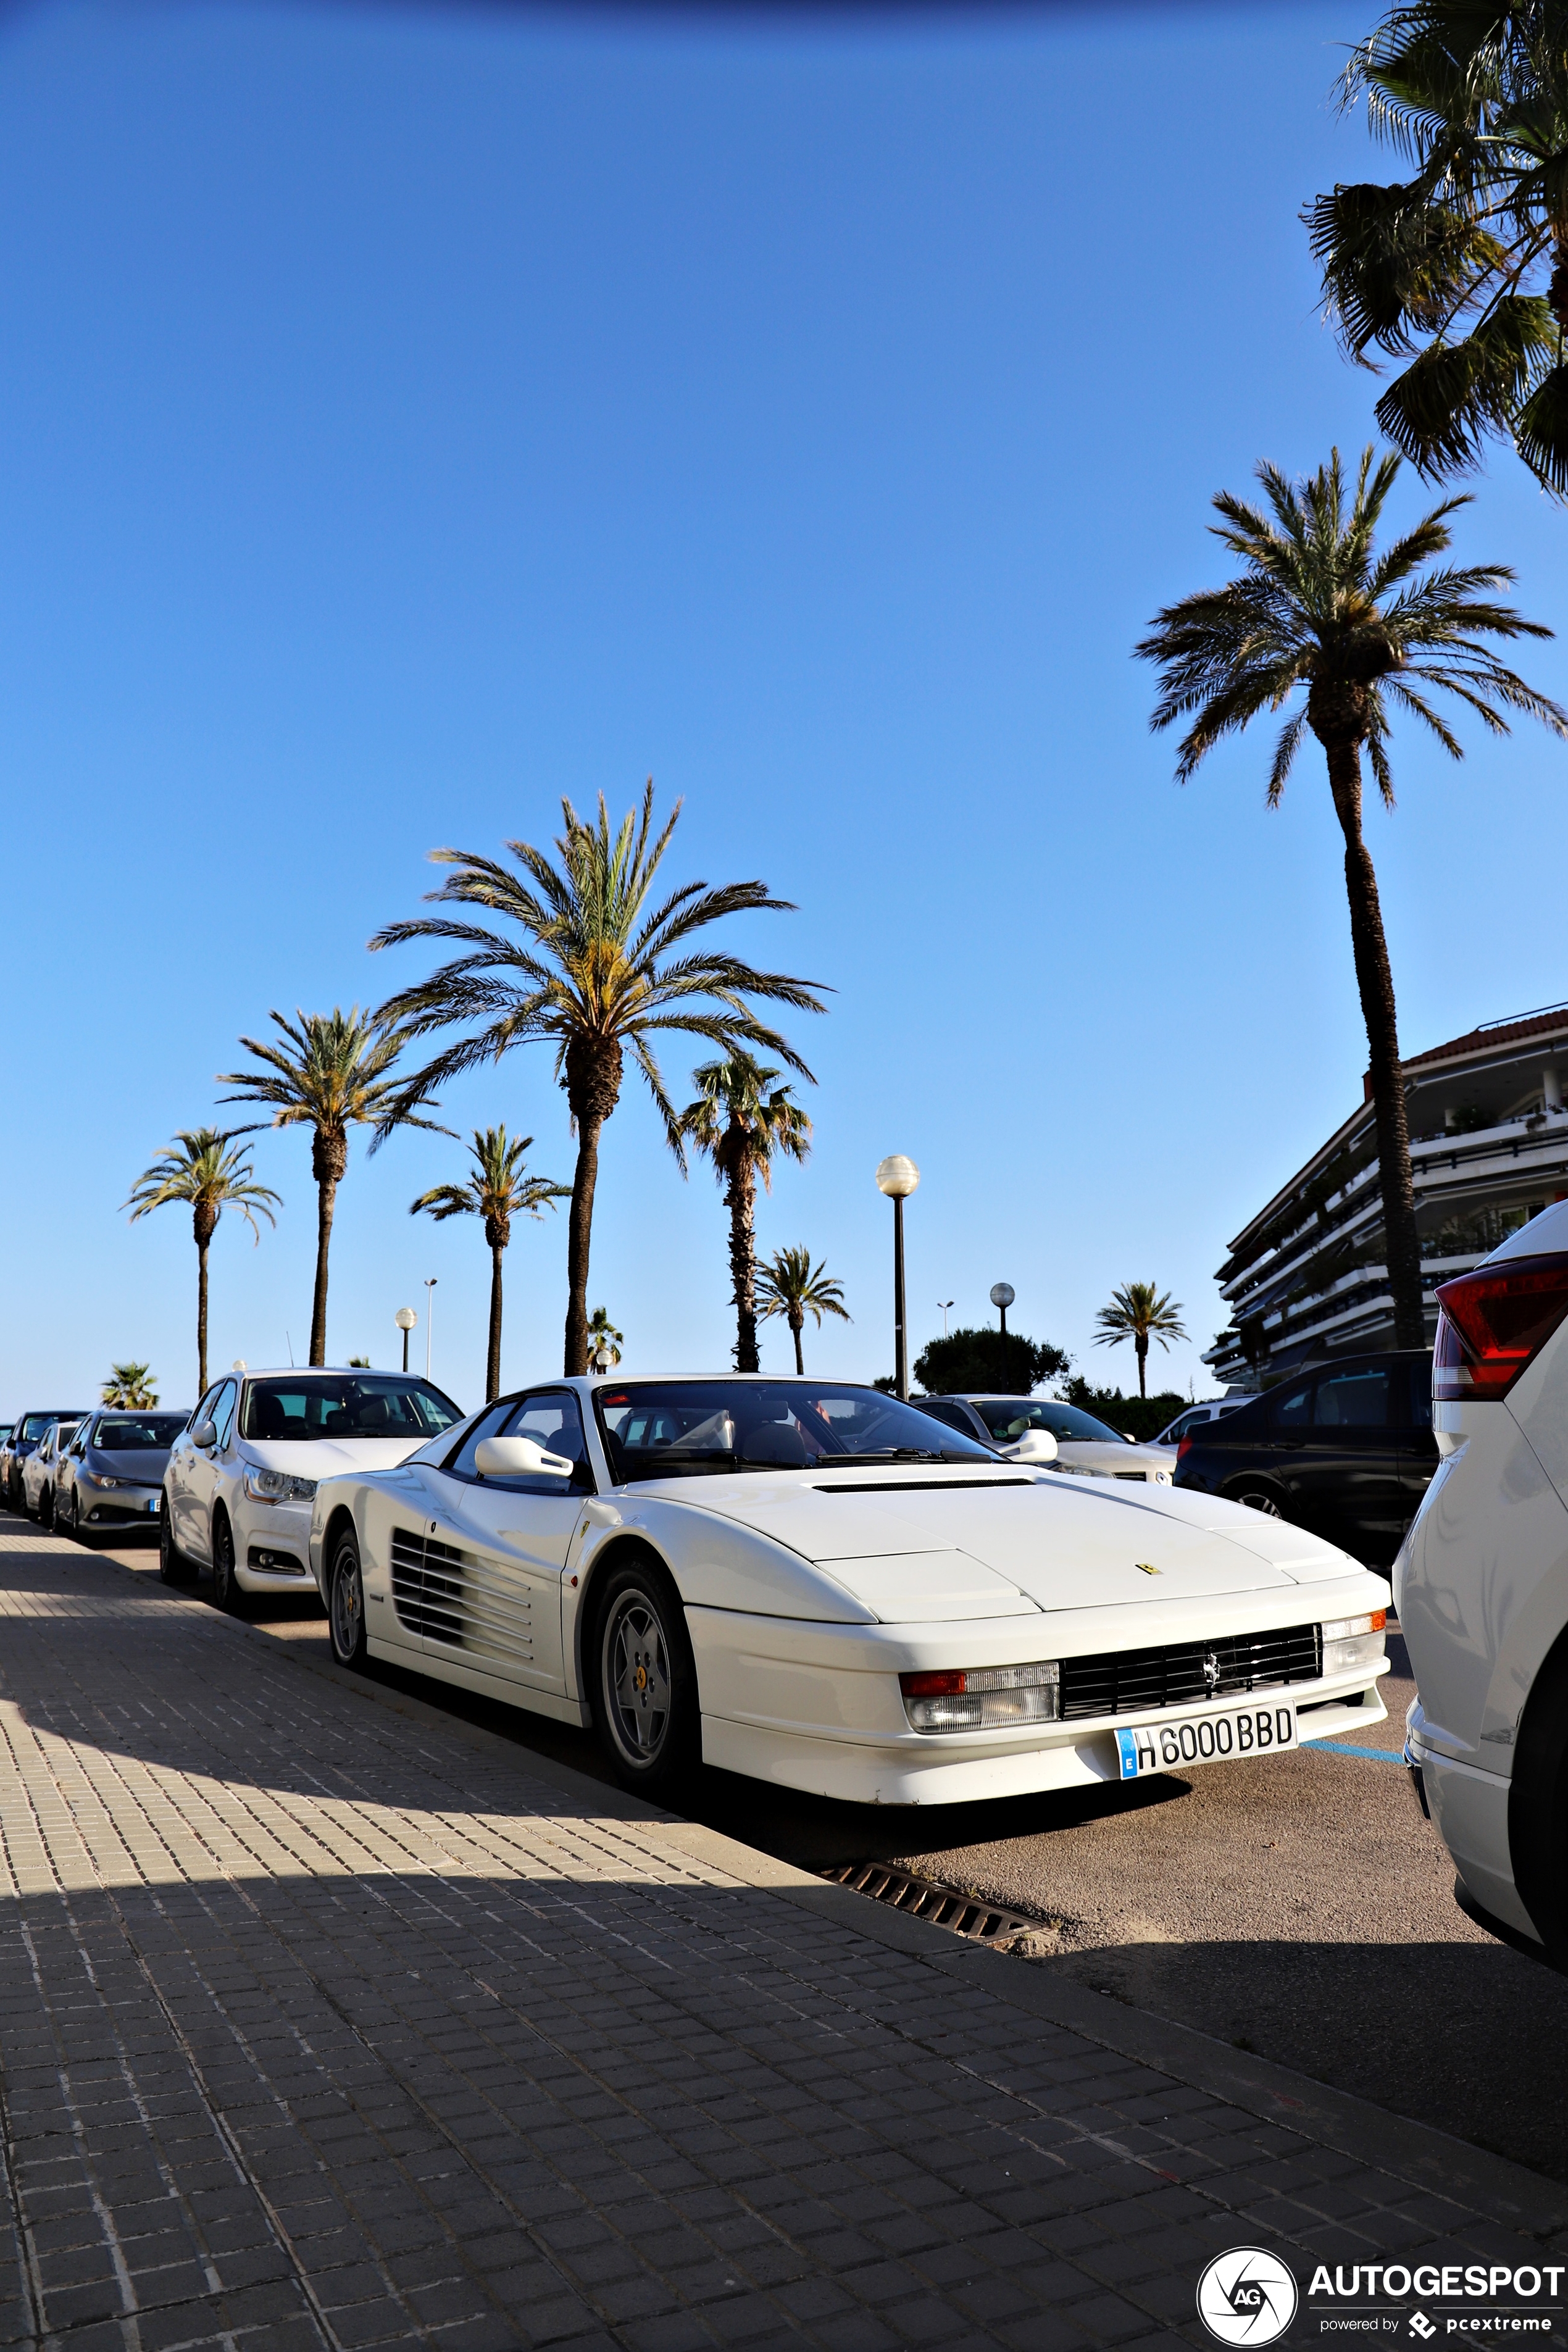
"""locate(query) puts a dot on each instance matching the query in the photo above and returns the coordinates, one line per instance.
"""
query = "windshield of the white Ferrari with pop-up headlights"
(702, 1429)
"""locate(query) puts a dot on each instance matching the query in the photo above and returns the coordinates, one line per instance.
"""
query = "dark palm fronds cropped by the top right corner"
(1461, 269)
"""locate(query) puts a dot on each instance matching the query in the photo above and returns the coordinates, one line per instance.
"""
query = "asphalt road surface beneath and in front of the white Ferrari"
(1299, 1909)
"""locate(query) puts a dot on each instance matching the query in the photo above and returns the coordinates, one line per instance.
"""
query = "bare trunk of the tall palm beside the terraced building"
(1376, 984)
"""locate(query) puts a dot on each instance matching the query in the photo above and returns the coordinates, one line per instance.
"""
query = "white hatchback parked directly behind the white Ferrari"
(241, 1478)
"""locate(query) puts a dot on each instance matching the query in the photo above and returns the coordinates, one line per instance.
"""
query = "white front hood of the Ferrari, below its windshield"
(913, 1549)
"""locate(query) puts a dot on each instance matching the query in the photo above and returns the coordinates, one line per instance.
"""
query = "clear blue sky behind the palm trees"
(413, 417)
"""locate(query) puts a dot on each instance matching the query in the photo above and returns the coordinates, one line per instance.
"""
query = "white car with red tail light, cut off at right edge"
(1482, 1589)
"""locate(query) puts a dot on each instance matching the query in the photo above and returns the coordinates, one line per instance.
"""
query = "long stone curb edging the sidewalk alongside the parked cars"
(1419, 2153)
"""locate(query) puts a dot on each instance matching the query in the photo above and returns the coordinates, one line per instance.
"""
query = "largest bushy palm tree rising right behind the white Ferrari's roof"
(591, 973)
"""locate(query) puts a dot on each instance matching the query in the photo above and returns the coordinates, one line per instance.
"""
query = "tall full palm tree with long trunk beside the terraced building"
(1315, 610)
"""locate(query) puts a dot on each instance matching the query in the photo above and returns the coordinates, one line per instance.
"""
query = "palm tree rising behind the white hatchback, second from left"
(335, 1071)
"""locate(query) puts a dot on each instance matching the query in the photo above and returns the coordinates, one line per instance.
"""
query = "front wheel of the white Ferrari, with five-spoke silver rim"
(645, 1681)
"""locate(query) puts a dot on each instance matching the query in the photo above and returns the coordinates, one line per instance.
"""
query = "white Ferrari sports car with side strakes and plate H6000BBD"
(810, 1584)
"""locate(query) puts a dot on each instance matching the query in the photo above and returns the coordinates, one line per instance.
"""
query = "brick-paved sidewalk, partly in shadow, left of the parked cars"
(333, 2022)
